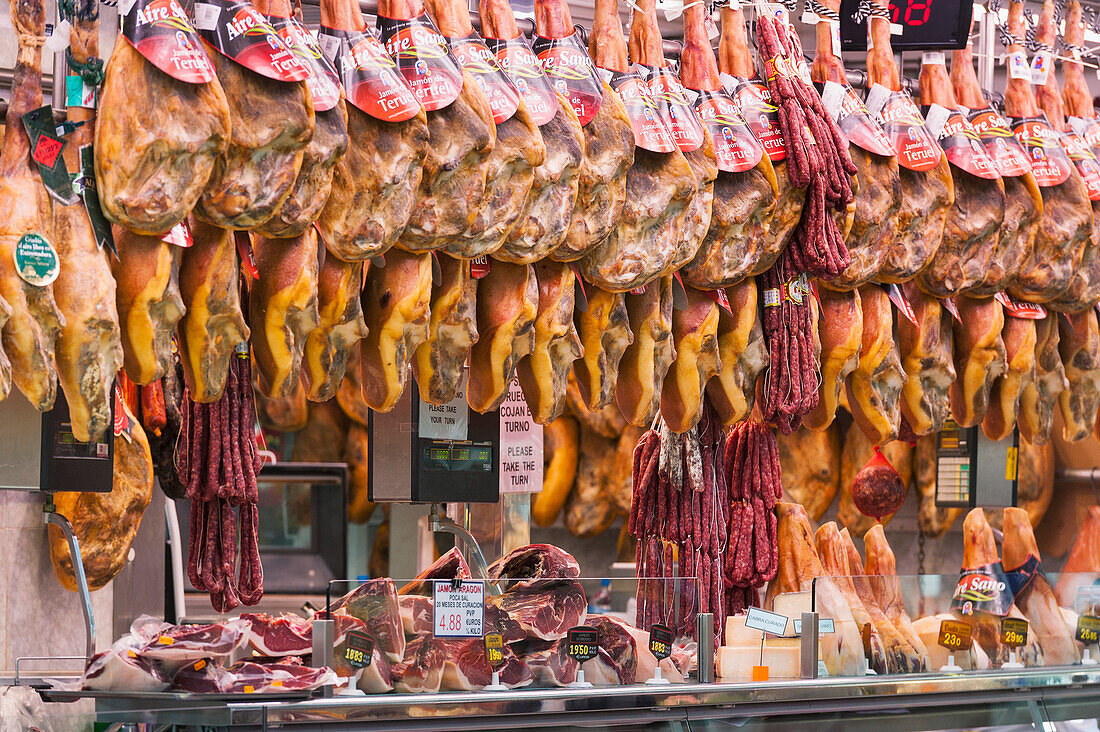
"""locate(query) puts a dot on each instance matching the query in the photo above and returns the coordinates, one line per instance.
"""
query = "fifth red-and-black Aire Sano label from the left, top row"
(424, 60)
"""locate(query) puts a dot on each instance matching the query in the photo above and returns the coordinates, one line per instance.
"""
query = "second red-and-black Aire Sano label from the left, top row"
(239, 31)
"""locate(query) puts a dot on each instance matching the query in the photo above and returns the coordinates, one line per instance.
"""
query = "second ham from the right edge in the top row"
(1068, 217)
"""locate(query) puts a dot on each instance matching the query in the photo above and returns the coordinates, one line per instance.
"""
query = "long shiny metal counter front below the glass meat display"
(602, 706)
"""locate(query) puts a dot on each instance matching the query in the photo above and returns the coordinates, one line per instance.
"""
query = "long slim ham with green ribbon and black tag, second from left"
(90, 346)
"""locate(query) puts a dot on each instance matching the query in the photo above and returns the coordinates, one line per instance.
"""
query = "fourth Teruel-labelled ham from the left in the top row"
(375, 184)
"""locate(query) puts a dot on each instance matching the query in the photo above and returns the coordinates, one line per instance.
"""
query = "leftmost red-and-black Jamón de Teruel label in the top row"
(161, 31)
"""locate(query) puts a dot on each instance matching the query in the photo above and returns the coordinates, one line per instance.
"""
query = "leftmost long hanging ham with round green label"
(27, 220)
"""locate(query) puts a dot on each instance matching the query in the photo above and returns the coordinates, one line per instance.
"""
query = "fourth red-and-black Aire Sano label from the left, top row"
(369, 75)
